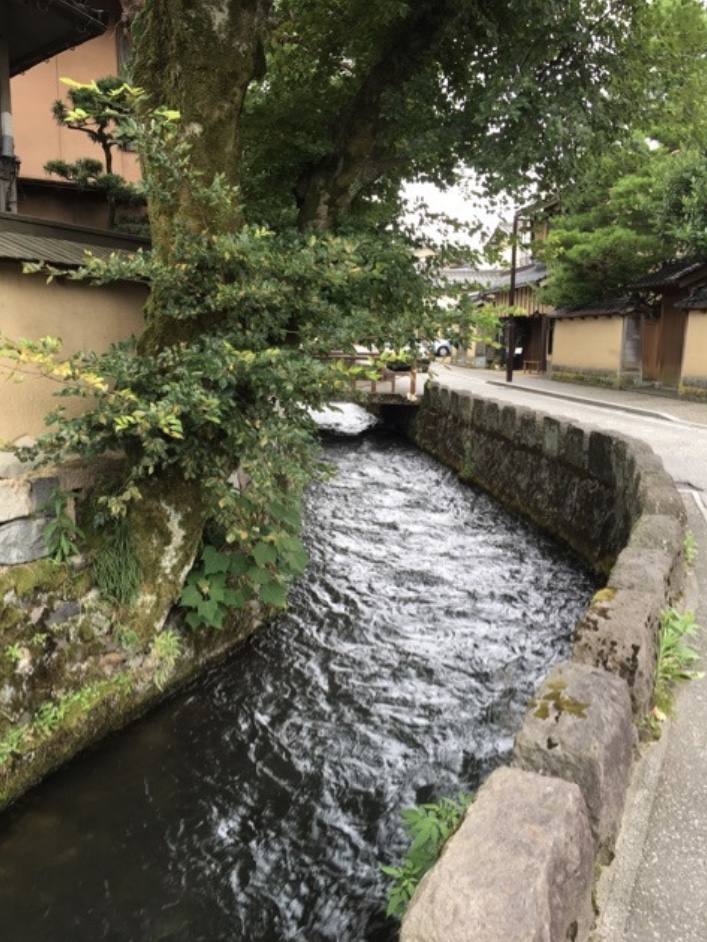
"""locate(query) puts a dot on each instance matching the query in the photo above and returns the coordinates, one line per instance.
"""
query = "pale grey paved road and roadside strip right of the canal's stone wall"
(656, 889)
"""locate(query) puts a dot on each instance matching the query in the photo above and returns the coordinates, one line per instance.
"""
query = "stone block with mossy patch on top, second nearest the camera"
(579, 727)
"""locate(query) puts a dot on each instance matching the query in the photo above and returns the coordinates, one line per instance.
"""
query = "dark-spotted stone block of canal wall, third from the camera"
(619, 632)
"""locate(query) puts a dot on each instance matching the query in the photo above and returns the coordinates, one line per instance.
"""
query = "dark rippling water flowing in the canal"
(259, 805)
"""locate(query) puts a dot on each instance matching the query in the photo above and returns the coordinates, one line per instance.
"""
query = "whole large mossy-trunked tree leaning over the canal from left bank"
(316, 111)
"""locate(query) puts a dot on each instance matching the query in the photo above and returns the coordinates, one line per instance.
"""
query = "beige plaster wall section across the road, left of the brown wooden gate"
(592, 343)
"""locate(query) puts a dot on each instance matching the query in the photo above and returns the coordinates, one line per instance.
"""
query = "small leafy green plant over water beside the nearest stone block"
(429, 826)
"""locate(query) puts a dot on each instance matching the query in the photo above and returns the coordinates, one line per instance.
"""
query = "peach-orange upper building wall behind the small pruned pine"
(38, 138)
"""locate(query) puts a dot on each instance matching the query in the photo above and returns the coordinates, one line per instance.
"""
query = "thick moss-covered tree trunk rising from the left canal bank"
(197, 57)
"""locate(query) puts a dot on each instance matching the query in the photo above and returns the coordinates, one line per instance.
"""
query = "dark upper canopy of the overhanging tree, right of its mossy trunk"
(398, 90)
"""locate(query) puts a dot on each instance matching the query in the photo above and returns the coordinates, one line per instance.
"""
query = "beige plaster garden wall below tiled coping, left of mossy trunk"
(84, 317)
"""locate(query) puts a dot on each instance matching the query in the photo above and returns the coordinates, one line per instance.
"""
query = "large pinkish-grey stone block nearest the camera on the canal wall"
(519, 868)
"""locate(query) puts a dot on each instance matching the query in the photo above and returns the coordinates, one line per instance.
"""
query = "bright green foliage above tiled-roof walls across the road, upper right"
(642, 201)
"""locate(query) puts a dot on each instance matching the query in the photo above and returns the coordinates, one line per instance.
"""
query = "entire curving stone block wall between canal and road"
(522, 864)
